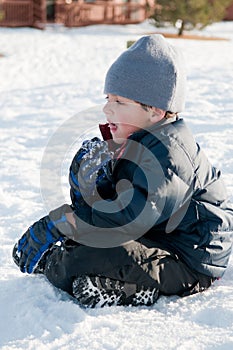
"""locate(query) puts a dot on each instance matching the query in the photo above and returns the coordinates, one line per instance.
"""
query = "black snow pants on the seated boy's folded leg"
(138, 262)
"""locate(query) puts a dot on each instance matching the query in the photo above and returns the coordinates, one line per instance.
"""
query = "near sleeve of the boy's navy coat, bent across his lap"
(151, 196)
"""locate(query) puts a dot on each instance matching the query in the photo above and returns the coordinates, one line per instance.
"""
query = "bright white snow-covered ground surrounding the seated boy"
(46, 78)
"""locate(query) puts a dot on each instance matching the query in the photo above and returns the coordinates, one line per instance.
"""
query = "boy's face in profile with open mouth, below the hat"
(126, 116)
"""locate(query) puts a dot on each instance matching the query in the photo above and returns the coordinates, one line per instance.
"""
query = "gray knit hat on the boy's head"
(152, 72)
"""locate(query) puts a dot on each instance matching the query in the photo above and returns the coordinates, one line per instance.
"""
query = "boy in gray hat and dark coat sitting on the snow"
(149, 214)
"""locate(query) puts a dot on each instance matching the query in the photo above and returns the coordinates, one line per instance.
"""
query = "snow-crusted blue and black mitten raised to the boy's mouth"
(87, 169)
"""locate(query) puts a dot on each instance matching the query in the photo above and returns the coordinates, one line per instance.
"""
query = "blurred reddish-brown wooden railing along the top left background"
(19, 13)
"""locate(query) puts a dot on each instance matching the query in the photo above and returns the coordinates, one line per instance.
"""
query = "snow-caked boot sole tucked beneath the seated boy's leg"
(101, 291)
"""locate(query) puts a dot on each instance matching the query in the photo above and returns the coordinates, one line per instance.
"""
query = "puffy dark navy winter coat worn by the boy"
(161, 185)
